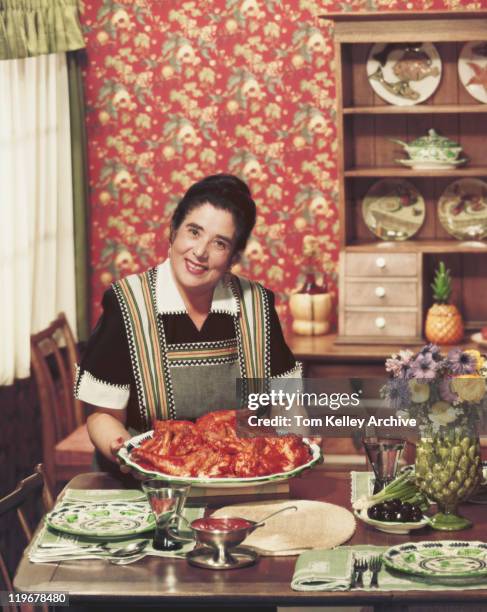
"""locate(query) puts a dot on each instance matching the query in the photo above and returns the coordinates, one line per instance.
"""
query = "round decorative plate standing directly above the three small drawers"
(393, 209)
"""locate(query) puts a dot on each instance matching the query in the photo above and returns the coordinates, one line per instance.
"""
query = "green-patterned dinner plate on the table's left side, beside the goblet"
(102, 519)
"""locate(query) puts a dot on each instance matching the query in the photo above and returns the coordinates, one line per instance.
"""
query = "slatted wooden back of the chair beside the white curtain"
(54, 357)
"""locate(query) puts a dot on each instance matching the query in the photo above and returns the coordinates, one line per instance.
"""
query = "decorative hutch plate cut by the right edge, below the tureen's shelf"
(462, 209)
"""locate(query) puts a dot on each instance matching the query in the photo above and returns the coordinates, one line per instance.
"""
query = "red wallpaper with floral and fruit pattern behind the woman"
(177, 90)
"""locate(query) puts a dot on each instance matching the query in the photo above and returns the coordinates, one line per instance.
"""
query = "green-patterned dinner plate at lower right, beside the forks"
(447, 561)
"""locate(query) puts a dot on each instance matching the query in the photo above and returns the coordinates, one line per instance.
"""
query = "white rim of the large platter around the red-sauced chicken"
(136, 441)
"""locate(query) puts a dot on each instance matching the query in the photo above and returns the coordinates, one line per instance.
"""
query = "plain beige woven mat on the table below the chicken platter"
(313, 525)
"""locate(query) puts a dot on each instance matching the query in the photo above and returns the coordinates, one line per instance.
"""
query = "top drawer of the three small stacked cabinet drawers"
(381, 264)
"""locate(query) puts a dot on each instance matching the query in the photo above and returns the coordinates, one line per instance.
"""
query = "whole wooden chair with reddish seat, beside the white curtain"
(67, 449)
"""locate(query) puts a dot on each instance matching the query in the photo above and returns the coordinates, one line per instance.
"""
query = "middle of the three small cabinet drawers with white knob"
(378, 293)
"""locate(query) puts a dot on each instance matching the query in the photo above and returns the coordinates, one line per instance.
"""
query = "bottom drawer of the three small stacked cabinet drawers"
(386, 323)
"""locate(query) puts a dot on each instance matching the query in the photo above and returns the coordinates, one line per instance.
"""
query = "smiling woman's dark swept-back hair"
(223, 191)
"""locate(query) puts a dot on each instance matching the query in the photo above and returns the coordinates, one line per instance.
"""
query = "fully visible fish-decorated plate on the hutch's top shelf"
(404, 74)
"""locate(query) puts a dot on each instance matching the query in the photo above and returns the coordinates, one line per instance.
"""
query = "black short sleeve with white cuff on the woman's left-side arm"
(105, 375)
